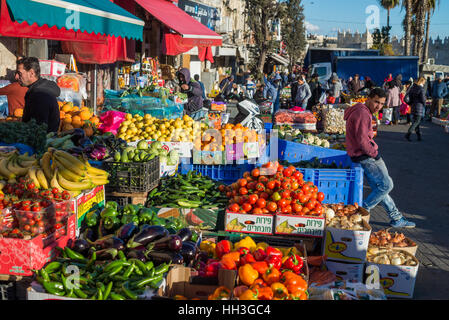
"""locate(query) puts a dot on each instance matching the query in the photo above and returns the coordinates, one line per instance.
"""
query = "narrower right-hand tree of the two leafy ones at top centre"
(294, 30)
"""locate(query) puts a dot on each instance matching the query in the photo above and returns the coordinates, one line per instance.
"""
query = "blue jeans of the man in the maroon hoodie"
(381, 184)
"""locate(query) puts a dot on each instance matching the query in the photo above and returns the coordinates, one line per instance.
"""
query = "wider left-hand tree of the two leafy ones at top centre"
(260, 14)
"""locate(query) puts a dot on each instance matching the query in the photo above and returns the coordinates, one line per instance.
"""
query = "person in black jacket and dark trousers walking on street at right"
(417, 100)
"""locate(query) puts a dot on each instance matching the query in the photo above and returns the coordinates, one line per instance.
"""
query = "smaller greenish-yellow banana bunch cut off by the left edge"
(14, 165)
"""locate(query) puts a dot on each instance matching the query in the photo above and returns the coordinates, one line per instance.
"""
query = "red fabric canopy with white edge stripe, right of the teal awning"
(189, 32)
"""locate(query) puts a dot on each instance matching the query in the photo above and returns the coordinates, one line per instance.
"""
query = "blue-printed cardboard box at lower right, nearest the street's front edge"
(397, 281)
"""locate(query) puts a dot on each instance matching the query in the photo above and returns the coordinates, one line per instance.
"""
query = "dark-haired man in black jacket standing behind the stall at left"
(40, 100)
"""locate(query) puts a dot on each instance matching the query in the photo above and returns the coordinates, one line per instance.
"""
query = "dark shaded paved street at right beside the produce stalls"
(420, 171)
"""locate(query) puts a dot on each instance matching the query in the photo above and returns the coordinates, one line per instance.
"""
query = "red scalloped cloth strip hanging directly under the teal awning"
(9, 28)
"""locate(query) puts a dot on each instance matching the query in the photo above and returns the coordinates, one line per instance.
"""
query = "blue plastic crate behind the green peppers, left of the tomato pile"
(225, 173)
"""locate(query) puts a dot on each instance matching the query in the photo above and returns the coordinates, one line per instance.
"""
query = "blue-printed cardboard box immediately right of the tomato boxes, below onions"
(346, 245)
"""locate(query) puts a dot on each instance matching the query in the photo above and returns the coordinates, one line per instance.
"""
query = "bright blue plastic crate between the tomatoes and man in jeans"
(338, 185)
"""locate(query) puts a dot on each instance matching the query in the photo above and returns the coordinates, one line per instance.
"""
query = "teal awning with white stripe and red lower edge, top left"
(86, 17)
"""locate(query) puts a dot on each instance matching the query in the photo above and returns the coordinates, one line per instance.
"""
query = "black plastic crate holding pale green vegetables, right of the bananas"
(133, 176)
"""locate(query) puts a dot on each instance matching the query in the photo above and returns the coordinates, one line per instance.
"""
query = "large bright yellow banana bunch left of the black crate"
(64, 171)
